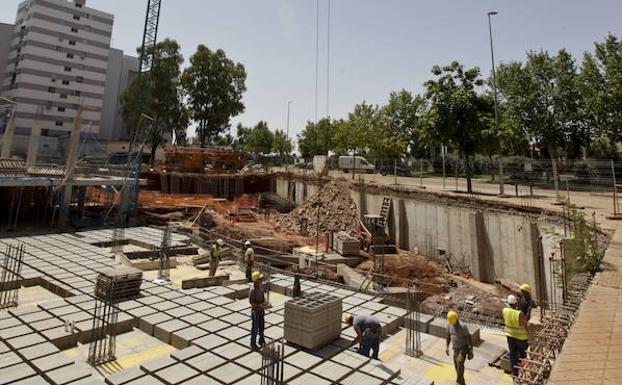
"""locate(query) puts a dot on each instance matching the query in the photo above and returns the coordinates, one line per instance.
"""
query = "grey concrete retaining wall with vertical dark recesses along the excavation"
(491, 244)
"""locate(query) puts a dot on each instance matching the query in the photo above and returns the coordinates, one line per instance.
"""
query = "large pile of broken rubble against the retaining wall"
(337, 211)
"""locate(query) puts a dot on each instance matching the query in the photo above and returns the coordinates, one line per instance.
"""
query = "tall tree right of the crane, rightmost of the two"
(214, 85)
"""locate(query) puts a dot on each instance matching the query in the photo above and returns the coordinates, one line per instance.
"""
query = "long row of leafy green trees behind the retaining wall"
(549, 106)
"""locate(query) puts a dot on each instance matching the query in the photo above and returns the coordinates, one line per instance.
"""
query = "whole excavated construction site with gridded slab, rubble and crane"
(110, 274)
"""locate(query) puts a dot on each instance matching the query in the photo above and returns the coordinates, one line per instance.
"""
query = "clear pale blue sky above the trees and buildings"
(376, 46)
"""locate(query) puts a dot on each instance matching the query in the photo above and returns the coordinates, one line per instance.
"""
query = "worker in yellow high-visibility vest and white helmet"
(516, 333)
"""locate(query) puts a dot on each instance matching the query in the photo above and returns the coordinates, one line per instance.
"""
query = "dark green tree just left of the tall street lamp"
(455, 113)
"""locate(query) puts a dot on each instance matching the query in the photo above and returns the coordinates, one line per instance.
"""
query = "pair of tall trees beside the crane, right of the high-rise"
(208, 91)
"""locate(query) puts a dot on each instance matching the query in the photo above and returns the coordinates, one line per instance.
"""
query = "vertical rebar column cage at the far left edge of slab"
(11, 276)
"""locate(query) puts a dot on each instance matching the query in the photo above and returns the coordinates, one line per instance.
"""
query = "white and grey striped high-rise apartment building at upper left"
(57, 63)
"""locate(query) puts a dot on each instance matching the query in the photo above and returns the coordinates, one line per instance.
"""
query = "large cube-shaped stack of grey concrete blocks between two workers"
(313, 321)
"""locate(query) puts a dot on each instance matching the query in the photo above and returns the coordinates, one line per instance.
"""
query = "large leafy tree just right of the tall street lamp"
(542, 100)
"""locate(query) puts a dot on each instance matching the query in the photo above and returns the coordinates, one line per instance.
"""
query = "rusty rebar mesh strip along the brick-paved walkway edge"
(536, 368)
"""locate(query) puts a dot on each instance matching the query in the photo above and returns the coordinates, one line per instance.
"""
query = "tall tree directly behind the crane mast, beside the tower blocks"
(165, 104)
